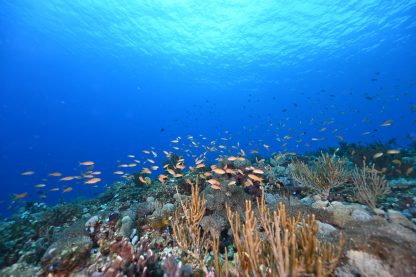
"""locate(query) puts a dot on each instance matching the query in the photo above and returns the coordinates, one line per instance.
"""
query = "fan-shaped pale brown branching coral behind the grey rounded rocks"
(325, 173)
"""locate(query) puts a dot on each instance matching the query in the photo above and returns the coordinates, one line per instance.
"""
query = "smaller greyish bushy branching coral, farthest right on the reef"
(368, 185)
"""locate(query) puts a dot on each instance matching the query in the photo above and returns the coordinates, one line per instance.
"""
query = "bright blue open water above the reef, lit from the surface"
(101, 80)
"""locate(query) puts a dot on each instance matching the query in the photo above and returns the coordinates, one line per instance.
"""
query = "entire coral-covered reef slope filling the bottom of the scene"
(178, 228)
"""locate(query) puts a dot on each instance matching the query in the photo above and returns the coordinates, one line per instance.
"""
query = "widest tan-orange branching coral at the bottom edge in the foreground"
(284, 250)
